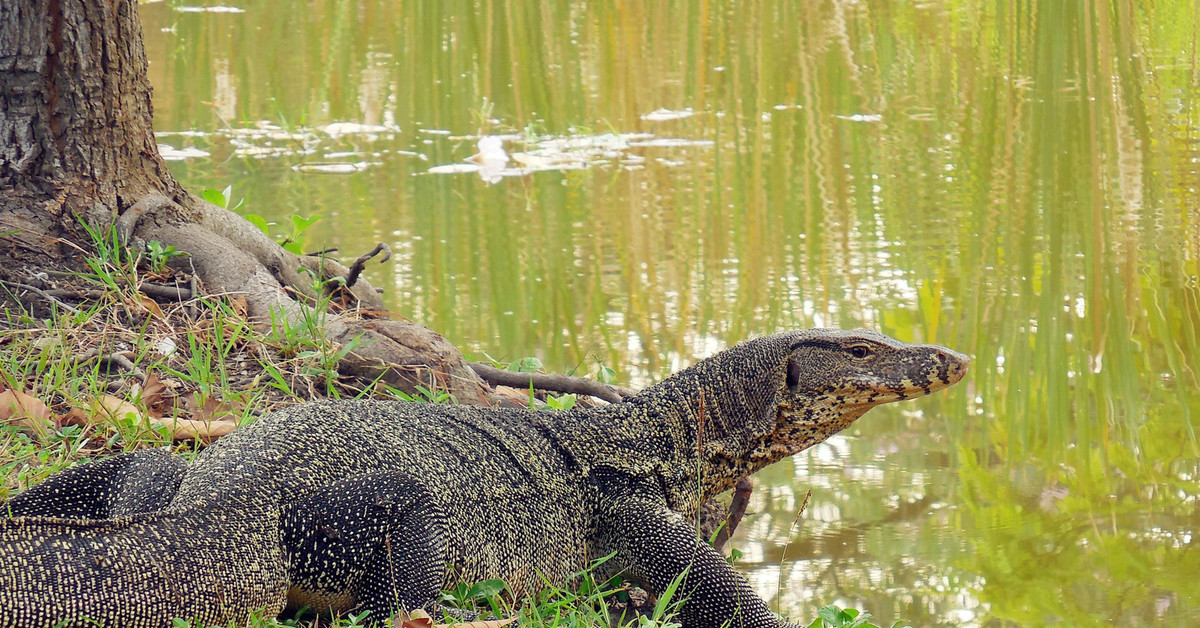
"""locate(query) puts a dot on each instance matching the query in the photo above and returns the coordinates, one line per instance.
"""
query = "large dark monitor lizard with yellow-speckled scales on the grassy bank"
(376, 506)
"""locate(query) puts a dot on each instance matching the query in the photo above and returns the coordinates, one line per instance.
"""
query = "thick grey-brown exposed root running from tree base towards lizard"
(233, 258)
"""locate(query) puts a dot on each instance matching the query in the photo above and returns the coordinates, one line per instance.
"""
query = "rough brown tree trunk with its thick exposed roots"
(77, 148)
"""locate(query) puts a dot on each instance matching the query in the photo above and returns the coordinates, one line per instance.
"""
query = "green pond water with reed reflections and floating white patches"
(653, 183)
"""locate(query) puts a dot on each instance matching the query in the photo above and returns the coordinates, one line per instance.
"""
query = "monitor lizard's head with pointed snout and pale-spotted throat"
(830, 378)
